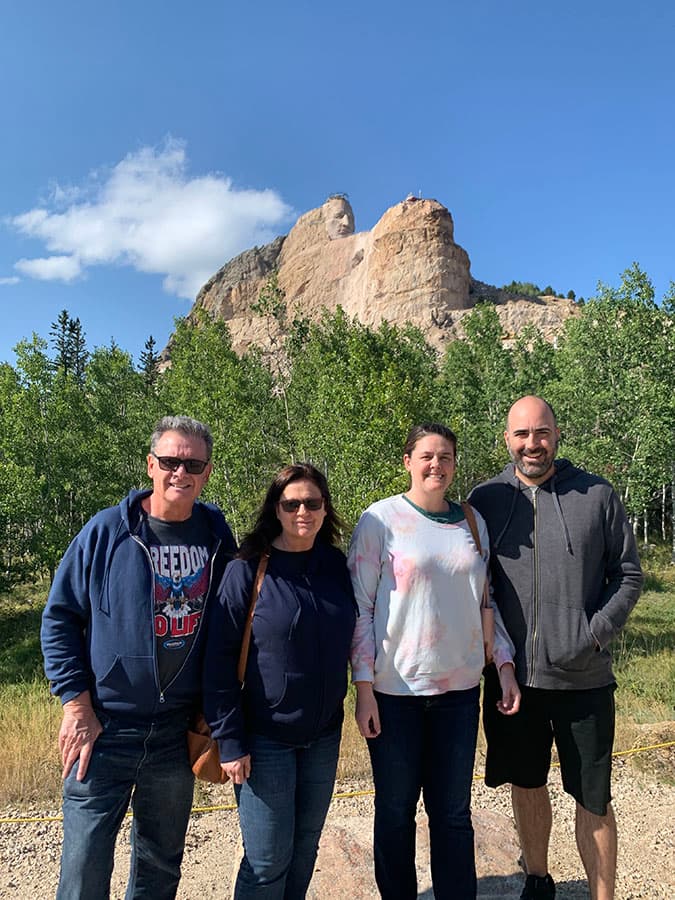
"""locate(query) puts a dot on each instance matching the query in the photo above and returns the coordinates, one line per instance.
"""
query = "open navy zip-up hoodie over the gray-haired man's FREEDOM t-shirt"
(98, 625)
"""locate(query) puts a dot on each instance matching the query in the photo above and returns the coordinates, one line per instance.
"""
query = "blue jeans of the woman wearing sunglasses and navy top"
(282, 808)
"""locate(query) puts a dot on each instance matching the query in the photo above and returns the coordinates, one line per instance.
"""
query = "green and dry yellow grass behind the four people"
(644, 663)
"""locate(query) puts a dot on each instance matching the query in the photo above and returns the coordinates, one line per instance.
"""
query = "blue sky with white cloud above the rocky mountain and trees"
(146, 143)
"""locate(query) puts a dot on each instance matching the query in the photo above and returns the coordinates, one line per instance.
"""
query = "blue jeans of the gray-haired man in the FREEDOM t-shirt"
(149, 765)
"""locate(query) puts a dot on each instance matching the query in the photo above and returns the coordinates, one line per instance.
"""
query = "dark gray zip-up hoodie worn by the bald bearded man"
(565, 573)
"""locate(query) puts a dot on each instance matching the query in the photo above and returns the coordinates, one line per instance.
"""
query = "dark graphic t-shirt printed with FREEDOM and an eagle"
(180, 554)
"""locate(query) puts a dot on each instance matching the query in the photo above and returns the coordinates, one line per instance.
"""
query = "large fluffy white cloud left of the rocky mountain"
(146, 212)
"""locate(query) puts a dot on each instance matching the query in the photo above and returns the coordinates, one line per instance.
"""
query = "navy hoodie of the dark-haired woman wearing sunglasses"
(296, 674)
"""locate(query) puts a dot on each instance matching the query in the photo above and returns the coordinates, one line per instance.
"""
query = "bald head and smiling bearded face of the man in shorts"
(532, 437)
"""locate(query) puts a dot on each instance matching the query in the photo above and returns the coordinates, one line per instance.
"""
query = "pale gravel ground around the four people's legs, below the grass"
(644, 806)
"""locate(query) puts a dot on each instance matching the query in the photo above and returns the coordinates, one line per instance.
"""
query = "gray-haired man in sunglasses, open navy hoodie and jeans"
(122, 637)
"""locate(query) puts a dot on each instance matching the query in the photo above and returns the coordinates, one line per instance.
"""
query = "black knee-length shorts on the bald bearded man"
(519, 746)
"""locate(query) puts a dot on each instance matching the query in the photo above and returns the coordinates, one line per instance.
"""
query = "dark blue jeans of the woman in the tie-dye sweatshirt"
(427, 743)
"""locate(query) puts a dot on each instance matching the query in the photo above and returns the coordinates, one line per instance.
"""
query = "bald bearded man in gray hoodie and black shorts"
(565, 574)
